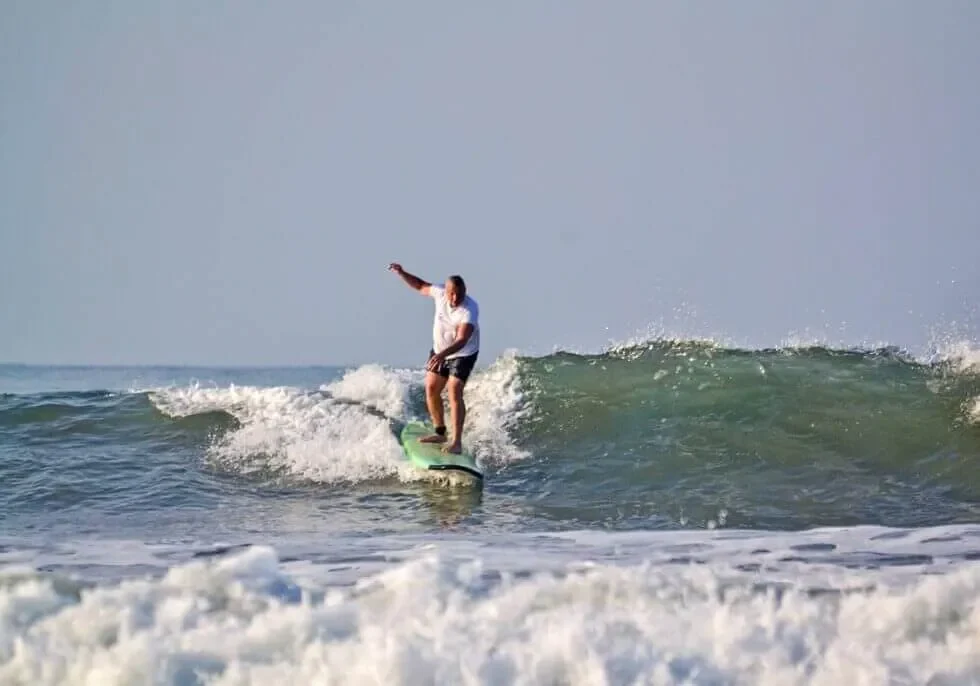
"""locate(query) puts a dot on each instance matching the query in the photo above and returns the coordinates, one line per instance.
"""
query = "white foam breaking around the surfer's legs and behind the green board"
(337, 434)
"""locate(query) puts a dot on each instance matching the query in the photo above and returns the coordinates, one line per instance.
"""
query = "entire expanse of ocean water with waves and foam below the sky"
(670, 512)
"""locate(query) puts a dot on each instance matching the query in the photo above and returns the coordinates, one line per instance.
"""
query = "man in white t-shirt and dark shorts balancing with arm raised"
(455, 346)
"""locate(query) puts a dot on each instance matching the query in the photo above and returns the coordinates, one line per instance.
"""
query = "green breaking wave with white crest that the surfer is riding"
(658, 433)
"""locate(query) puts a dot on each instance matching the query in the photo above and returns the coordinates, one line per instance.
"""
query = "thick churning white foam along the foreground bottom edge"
(436, 620)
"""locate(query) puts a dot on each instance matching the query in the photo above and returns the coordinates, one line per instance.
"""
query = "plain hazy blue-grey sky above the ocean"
(225, 182)
